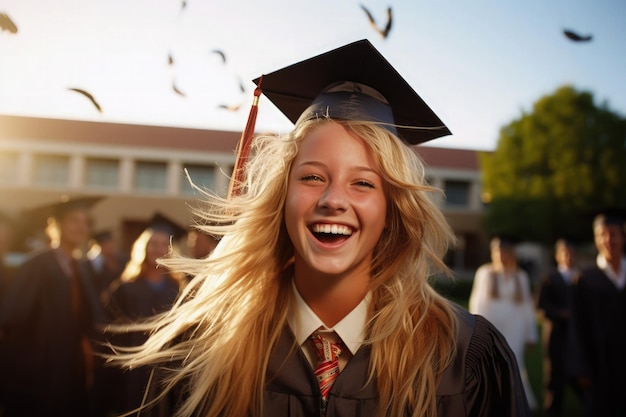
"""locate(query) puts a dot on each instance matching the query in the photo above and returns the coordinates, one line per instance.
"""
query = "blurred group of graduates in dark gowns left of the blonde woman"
(56, 305)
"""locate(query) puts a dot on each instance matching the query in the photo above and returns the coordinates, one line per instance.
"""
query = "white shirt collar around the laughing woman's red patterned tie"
(351, 329)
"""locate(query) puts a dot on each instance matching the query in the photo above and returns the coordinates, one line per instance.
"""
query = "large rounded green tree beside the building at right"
(553, 167)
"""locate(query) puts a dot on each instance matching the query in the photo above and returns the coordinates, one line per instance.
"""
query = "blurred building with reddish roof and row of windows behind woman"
(141, 170)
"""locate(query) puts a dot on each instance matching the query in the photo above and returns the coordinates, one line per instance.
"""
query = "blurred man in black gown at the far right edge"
(601, 317)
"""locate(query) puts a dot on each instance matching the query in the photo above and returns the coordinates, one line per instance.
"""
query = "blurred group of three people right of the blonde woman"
(580, 308)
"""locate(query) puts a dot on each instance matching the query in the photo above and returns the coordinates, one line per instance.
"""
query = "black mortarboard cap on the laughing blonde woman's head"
(353, 82)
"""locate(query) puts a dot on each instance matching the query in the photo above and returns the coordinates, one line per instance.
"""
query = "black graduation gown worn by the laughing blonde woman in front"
(482, 381)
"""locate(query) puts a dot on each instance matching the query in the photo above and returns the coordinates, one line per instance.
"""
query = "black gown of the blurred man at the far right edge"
(601, 320)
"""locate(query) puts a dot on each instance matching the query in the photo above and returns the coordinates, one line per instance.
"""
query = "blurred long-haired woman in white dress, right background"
(501, 293)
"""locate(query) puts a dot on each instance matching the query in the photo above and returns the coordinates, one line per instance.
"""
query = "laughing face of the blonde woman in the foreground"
(336, 207)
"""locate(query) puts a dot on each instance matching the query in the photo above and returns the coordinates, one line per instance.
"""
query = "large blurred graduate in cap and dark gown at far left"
(48, 321)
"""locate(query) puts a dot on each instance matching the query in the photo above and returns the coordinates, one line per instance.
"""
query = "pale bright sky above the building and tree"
(478, 64)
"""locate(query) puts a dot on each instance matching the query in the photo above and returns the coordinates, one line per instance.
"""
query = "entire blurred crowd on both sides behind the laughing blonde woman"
(54, 309)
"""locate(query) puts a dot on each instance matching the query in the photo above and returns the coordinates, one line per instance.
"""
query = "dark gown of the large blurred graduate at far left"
(43, 362)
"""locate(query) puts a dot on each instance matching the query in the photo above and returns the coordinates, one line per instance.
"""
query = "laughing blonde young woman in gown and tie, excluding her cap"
(333, 231)
